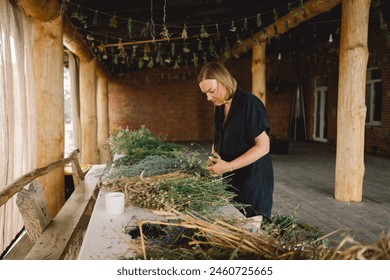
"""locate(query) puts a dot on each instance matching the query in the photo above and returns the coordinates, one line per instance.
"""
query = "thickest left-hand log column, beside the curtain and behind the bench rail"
(48, 67)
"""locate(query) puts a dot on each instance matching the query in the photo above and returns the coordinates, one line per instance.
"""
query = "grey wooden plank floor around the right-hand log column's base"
(304, 179)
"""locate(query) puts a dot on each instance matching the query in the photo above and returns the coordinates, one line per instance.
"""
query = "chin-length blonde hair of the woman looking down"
(217, 71)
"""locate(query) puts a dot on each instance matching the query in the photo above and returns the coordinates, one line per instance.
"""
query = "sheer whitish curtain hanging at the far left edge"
(18, 137)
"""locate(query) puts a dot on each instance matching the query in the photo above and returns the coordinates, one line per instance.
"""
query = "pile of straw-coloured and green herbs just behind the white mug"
(176, 190)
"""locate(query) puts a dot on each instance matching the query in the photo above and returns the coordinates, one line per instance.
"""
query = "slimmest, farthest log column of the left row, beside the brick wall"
(102, 113)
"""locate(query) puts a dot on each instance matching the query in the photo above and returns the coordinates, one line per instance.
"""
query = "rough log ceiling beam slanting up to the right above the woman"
(298, 15)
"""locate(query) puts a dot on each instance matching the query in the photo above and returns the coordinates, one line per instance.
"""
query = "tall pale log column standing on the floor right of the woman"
(351, 100)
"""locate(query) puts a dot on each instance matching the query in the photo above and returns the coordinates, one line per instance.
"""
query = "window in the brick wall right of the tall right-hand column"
(373, 96)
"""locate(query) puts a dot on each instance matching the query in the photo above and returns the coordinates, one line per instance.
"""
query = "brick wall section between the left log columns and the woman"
(168, 102)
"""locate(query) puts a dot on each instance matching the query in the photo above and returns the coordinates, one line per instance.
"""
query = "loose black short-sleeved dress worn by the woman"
(246, 120)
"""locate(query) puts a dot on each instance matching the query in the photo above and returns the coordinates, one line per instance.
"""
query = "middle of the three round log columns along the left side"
(88, 118)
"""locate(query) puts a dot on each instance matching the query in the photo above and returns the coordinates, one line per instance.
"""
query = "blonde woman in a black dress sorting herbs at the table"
(241, 141)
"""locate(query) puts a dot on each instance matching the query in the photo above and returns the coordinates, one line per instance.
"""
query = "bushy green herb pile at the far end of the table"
(138, 144)
